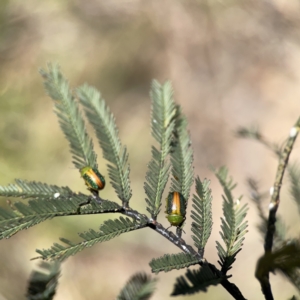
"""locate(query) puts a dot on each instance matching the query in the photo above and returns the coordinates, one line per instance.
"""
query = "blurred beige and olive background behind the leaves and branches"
(232, 63)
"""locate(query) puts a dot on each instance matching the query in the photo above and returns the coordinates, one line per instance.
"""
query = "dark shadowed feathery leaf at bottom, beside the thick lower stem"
(195, 281)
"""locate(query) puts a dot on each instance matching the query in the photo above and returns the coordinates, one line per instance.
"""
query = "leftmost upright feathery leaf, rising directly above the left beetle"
(69, 117)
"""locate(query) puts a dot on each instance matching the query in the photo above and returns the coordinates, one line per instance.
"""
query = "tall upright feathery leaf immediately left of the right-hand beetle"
(162, 120)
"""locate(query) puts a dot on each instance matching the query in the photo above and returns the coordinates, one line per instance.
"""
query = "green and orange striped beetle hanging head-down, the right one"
(175, 208)
